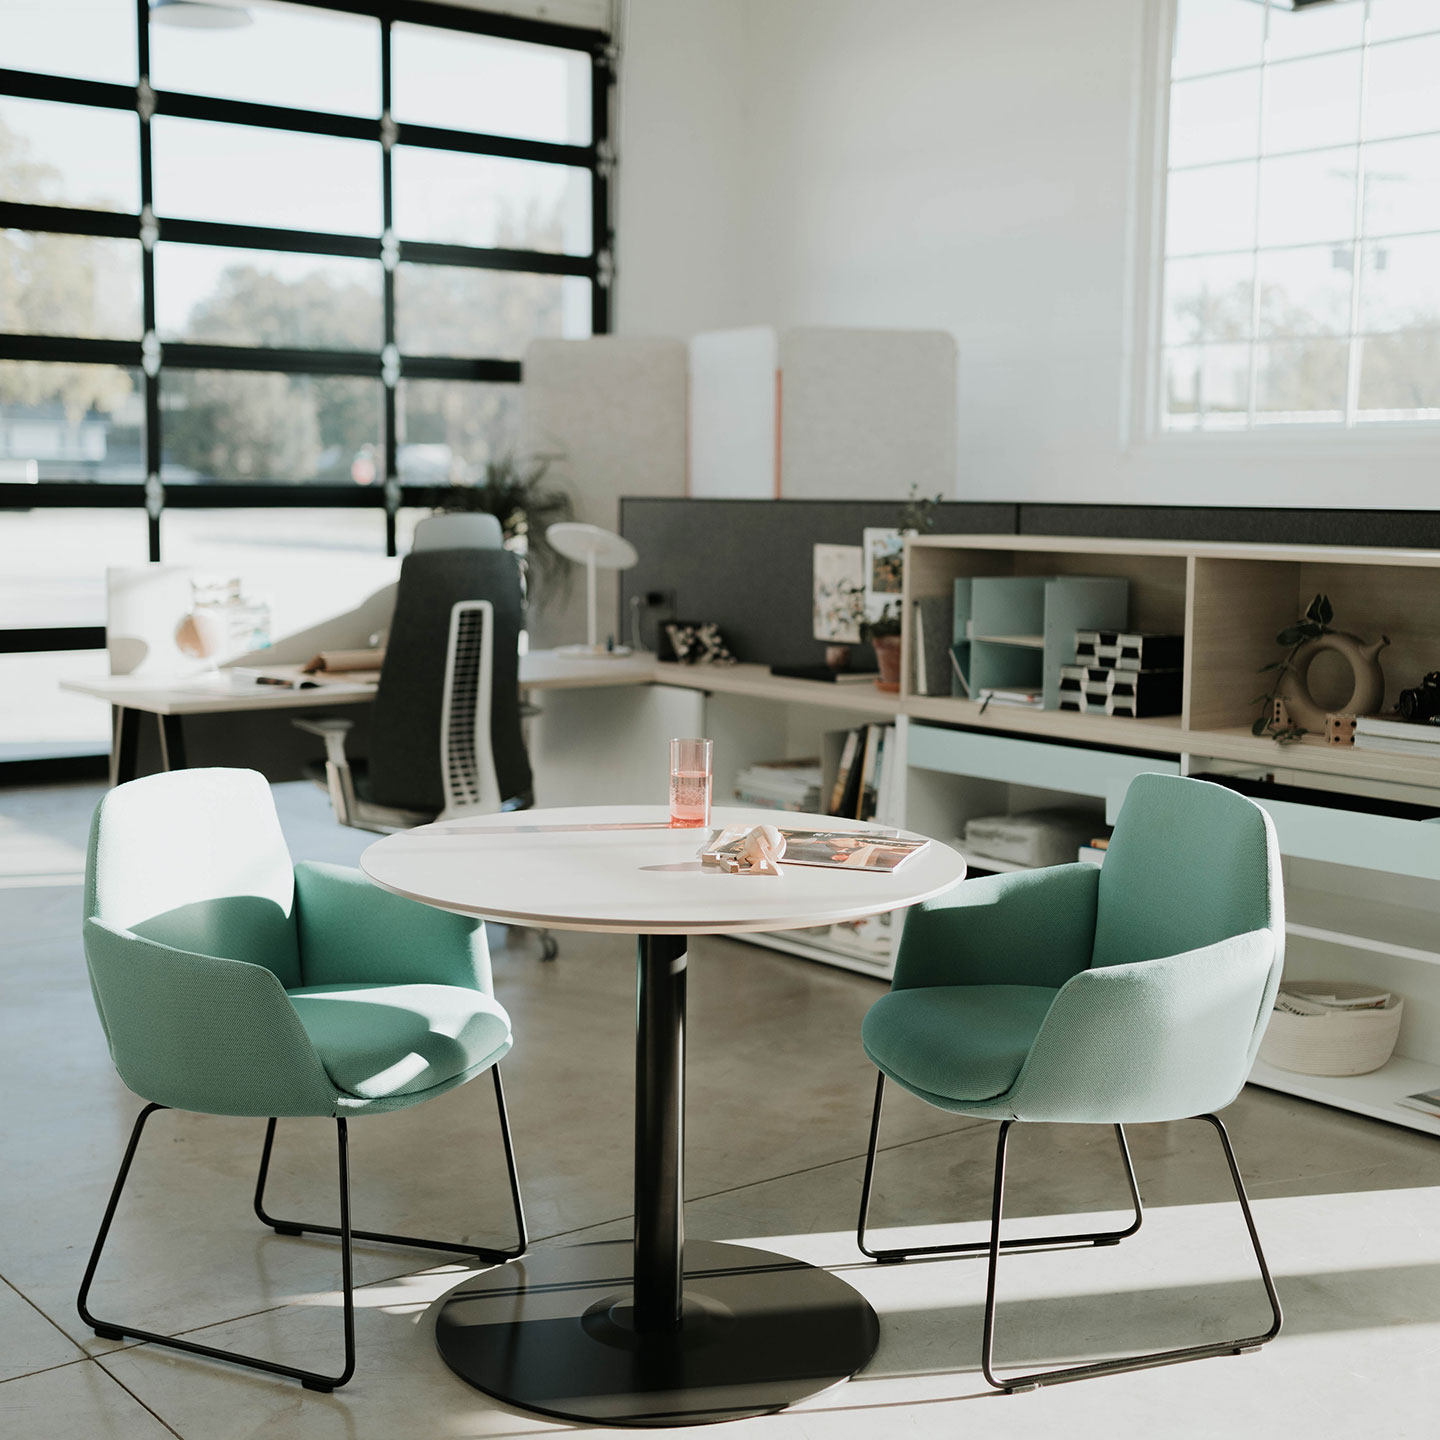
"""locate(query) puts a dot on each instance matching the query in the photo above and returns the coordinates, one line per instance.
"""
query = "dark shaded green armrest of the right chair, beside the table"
(1032, 928)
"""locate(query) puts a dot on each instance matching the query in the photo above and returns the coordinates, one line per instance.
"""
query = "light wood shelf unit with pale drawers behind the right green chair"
(1229, 601)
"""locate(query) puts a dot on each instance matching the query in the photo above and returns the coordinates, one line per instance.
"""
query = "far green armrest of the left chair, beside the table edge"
(355, 932)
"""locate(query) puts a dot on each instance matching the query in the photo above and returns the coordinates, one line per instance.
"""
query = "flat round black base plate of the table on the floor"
(554, 1333)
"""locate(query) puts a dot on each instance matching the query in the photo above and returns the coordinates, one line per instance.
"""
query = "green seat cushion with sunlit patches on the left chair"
(388, 1040)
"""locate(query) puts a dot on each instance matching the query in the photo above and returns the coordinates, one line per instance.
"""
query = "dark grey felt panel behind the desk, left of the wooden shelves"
(747, 564)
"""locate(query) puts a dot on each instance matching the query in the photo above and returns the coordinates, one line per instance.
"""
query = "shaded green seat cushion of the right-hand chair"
(961, 1043)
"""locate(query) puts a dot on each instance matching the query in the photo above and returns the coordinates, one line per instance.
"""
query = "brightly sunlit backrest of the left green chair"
(197, 860)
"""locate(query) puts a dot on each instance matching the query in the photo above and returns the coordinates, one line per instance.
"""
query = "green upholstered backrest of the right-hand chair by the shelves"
(1190, 863)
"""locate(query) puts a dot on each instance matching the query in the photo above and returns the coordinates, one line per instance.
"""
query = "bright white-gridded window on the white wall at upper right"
(1302, 215)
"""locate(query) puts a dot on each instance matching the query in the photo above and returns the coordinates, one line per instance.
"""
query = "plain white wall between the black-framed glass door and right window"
(964, 165)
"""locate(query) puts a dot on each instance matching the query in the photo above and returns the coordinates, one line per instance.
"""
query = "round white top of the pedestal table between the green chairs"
(637, 882)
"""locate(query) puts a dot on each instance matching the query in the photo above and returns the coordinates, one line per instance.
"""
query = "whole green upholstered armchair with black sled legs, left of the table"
(233, 983)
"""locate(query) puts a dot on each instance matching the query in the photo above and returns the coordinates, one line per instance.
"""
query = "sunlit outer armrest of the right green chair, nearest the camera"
(1157, 1040)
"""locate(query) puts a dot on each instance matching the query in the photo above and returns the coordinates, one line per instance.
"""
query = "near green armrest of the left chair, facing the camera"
(202, 1033)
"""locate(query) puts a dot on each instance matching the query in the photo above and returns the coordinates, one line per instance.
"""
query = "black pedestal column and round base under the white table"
(653, 1331)
